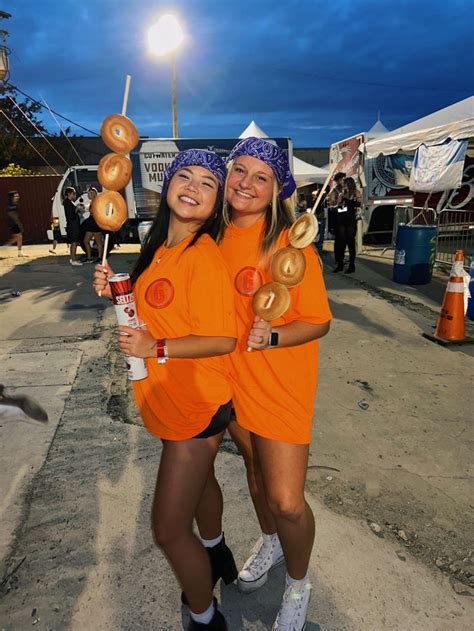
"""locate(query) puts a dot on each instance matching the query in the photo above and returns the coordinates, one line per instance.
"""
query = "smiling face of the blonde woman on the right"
(249, 187)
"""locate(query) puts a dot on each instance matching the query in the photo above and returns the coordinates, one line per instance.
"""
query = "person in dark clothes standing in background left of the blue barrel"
(348, 204)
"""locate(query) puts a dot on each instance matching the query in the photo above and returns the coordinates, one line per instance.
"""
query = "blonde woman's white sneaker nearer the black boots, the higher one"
(265, 555)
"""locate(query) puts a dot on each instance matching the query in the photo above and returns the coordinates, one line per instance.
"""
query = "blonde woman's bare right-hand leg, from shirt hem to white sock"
(283, 468)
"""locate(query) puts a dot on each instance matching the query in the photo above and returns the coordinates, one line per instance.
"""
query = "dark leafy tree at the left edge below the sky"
(13, 147)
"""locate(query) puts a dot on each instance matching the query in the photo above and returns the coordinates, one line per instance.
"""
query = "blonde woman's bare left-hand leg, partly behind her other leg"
(242, 439)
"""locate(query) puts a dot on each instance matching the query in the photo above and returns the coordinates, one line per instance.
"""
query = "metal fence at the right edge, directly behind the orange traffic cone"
(455, 232)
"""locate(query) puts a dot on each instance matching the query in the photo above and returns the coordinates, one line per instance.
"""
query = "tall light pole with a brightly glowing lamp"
(164, 38)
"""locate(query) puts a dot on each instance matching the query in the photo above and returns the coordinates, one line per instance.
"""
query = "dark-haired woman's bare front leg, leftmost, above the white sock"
(184, 469)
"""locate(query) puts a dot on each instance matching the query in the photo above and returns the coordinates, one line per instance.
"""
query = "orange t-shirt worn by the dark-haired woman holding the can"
(185, 292)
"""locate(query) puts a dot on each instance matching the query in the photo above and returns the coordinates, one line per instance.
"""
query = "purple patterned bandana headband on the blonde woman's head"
(270, 154)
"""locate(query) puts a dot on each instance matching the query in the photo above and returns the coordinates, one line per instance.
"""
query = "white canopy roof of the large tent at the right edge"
(455, 122)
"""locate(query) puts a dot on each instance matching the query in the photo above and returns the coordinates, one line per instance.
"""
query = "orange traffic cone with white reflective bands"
(450, 325)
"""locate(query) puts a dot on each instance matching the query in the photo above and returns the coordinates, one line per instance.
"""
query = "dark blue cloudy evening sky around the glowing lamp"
(317, 71)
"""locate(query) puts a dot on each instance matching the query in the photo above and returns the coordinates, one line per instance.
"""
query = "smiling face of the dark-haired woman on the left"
(192, 194)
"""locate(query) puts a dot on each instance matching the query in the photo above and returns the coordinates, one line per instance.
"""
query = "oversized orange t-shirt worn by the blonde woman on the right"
(273, 390)
